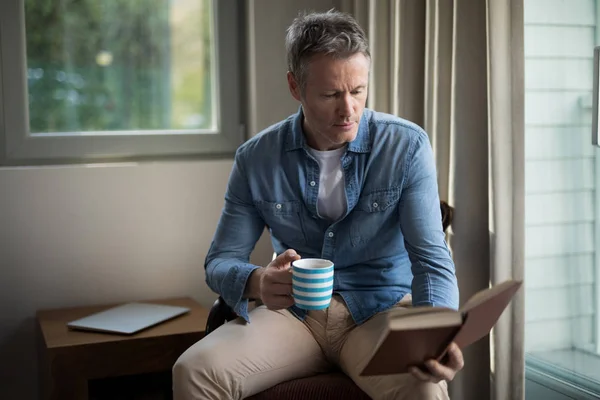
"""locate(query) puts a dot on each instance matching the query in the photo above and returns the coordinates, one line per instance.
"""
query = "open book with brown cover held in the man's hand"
(410, 336)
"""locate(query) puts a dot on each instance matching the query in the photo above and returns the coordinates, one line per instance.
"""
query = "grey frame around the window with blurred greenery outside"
(19, 147)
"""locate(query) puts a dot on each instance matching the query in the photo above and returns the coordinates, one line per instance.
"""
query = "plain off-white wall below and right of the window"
(76, 235)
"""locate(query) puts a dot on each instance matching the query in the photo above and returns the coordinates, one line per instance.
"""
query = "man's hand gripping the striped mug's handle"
(273, 283)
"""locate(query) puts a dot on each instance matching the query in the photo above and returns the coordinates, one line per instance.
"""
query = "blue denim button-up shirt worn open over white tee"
(389, 242)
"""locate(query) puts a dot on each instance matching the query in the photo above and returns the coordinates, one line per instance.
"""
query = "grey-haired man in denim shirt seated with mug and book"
(334, 181)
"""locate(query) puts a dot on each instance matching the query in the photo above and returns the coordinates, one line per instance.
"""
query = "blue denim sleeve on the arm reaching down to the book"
(434, 279)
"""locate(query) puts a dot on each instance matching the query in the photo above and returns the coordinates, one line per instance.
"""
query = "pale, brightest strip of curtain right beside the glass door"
(507, 201)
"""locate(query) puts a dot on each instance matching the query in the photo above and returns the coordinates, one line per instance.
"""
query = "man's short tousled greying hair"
(332, 33)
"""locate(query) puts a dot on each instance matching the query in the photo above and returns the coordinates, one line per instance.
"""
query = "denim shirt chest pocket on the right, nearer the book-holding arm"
(374, 215)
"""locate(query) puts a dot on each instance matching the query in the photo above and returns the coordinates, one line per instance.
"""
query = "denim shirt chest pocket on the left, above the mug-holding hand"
(284, 219)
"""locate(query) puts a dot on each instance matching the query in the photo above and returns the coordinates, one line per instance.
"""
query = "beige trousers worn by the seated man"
(240, 359)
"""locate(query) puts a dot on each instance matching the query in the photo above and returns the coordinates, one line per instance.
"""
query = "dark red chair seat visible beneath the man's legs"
(334, 385)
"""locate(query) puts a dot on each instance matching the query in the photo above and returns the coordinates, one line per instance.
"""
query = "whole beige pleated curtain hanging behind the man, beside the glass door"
(456, 68)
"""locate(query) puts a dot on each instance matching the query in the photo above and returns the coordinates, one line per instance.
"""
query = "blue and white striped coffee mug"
(312, 283)
